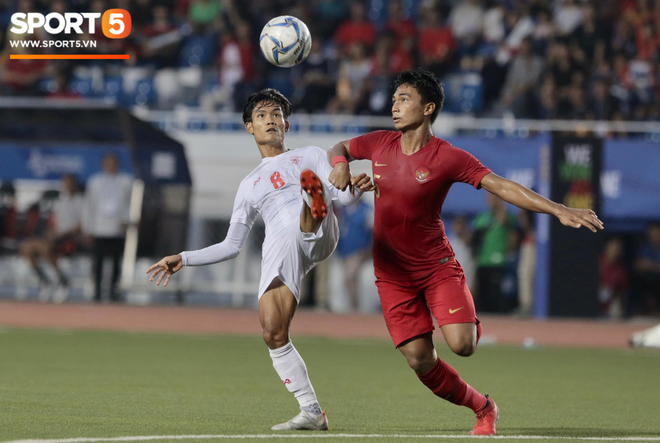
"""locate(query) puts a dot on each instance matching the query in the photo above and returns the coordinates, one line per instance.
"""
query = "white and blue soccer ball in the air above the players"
(285, 41)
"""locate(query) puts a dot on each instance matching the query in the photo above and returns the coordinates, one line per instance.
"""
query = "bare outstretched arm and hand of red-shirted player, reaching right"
(525, 198)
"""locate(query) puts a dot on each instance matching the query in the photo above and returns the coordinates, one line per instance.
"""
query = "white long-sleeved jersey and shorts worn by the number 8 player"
(273, 190)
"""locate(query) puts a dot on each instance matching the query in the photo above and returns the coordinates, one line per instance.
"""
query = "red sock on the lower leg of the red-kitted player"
(445, 382)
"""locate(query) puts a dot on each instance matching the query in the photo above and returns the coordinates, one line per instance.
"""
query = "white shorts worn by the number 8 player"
(290, 257)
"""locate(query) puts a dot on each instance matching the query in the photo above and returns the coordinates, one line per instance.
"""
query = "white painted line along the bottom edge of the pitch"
(292, 436)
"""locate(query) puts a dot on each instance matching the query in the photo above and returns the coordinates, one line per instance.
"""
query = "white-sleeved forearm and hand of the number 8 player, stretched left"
(226, 250)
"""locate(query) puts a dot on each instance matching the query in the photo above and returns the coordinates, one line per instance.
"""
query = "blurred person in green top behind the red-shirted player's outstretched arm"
(493, 230)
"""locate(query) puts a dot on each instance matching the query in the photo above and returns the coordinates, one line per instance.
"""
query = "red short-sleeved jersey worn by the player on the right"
(409, 237)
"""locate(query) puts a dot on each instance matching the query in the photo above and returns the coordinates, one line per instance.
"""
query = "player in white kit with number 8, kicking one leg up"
(292, 192)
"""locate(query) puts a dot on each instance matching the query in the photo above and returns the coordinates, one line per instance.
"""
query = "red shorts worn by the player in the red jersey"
(408, 307)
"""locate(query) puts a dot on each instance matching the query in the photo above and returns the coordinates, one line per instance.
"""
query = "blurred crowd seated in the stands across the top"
(542, 59)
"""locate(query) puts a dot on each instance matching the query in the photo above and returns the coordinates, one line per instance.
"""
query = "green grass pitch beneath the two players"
(60, 384)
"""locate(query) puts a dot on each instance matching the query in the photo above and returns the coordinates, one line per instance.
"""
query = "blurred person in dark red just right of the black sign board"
(613, 280)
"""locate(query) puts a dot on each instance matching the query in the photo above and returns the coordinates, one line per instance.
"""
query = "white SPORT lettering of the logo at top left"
(67, 23)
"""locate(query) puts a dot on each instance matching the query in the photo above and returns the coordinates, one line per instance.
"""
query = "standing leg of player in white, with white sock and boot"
(276, 309)
